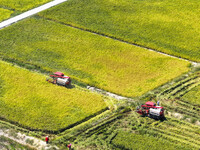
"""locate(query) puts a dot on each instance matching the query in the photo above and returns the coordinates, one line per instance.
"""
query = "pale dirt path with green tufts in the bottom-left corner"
(26, 140)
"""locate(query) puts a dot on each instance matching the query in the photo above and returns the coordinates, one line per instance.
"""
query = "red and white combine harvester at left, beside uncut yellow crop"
(60, 79)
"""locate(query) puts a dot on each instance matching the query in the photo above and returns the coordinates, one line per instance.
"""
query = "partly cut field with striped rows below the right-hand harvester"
(135, 132)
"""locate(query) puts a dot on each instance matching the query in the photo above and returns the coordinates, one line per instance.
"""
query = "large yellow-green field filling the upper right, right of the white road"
(168, 26)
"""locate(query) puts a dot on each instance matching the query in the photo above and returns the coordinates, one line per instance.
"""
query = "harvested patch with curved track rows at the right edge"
(182, 96)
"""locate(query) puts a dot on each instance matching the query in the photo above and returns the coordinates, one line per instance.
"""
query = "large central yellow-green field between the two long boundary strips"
(96, 60)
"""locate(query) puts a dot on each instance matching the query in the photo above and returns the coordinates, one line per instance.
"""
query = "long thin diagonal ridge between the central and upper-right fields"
(194, 63)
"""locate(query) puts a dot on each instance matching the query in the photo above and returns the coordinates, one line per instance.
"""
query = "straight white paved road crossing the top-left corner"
(29, 13)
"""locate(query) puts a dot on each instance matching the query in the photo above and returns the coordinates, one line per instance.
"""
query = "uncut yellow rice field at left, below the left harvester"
(34, 103)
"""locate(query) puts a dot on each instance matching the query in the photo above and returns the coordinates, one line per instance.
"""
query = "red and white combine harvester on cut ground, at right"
(151, 110)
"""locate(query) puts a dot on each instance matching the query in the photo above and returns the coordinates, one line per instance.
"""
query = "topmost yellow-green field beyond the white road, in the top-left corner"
(20, 5)
